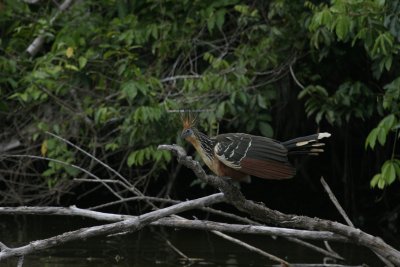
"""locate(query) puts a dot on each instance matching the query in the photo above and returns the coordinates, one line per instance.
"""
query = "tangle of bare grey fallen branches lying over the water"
(306, 228)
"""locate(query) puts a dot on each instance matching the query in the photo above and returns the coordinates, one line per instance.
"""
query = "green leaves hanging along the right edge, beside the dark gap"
(372, 26)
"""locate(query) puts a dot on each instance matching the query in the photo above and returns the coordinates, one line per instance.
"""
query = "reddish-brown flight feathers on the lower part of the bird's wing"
(267, 169)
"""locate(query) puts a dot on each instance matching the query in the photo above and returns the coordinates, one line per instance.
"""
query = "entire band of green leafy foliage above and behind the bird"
(109, 72)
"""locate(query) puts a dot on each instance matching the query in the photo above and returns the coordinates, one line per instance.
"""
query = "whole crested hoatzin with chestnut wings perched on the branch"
(239, 155)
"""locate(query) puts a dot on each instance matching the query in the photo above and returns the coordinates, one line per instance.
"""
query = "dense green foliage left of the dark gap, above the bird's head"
(109, 71)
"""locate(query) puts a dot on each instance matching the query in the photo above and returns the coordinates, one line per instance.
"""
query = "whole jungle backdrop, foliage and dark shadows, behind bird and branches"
(110, 71)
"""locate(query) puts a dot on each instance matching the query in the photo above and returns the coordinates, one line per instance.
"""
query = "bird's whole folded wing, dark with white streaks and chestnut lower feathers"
(254, 155)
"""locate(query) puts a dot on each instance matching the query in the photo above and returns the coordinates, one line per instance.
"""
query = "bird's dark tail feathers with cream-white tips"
(306, 145)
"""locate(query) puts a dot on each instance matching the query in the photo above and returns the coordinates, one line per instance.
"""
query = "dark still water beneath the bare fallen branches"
(149, 247)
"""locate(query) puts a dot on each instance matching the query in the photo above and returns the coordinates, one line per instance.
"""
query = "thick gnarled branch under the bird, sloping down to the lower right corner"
(260, 212)
